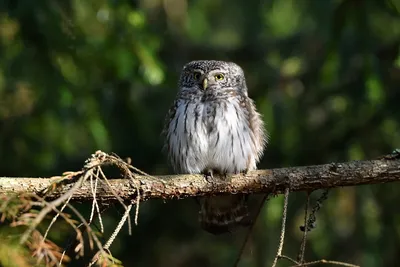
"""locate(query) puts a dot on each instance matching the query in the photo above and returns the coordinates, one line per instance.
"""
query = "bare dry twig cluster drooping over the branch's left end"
(93, 173)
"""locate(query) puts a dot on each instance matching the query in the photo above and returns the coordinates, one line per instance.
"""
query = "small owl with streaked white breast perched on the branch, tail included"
(214, 127)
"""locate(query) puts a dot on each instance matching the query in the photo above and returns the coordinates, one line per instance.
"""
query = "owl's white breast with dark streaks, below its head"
(213, 134)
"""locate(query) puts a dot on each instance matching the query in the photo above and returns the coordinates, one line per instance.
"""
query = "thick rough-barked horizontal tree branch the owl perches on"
(306, 178)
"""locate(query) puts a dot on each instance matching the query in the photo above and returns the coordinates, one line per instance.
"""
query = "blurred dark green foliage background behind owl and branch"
(79, 76)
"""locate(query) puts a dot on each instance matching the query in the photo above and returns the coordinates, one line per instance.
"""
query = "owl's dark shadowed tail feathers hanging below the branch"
(222, 214)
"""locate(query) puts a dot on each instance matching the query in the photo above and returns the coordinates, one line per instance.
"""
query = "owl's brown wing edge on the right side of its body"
(256, 125)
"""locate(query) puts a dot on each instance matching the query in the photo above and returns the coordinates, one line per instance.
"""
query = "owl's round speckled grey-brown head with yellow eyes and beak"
(205, 75)
